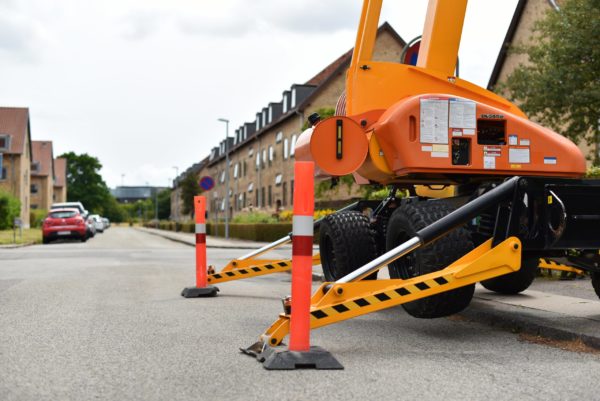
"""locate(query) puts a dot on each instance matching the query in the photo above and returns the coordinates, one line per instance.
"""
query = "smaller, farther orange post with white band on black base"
(201, 289)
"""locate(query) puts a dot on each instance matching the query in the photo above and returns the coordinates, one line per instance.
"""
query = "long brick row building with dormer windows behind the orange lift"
(261, 152)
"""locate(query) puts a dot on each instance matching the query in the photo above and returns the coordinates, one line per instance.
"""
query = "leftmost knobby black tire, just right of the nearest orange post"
(346, 242)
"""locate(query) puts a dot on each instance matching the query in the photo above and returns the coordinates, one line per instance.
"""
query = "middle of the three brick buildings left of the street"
(42, 175)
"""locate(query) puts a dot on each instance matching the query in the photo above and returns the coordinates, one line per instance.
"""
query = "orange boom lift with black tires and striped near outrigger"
(519, 190)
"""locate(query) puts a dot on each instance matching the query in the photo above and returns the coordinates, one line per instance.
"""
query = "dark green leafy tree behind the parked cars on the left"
(84, 182)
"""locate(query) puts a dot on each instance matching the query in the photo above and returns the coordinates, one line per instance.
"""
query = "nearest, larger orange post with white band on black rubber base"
(300, 353)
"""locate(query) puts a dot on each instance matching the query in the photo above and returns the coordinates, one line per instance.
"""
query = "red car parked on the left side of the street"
(64, 223)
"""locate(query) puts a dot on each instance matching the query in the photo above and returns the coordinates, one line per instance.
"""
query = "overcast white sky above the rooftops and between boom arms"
(140, 84)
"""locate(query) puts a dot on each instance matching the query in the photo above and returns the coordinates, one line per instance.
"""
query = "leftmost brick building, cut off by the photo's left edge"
(15, 156)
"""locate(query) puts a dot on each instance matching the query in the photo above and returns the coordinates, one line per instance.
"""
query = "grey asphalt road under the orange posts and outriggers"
(104, 321)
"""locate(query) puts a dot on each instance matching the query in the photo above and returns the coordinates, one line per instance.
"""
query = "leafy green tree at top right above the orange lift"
(560, 85)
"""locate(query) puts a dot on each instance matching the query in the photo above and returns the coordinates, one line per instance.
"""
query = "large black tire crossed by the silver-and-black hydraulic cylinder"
(403, 225)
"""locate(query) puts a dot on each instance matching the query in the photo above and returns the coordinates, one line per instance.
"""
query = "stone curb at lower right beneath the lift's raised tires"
(518, 319)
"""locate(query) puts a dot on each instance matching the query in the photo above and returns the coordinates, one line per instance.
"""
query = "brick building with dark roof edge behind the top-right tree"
(520, 31)
